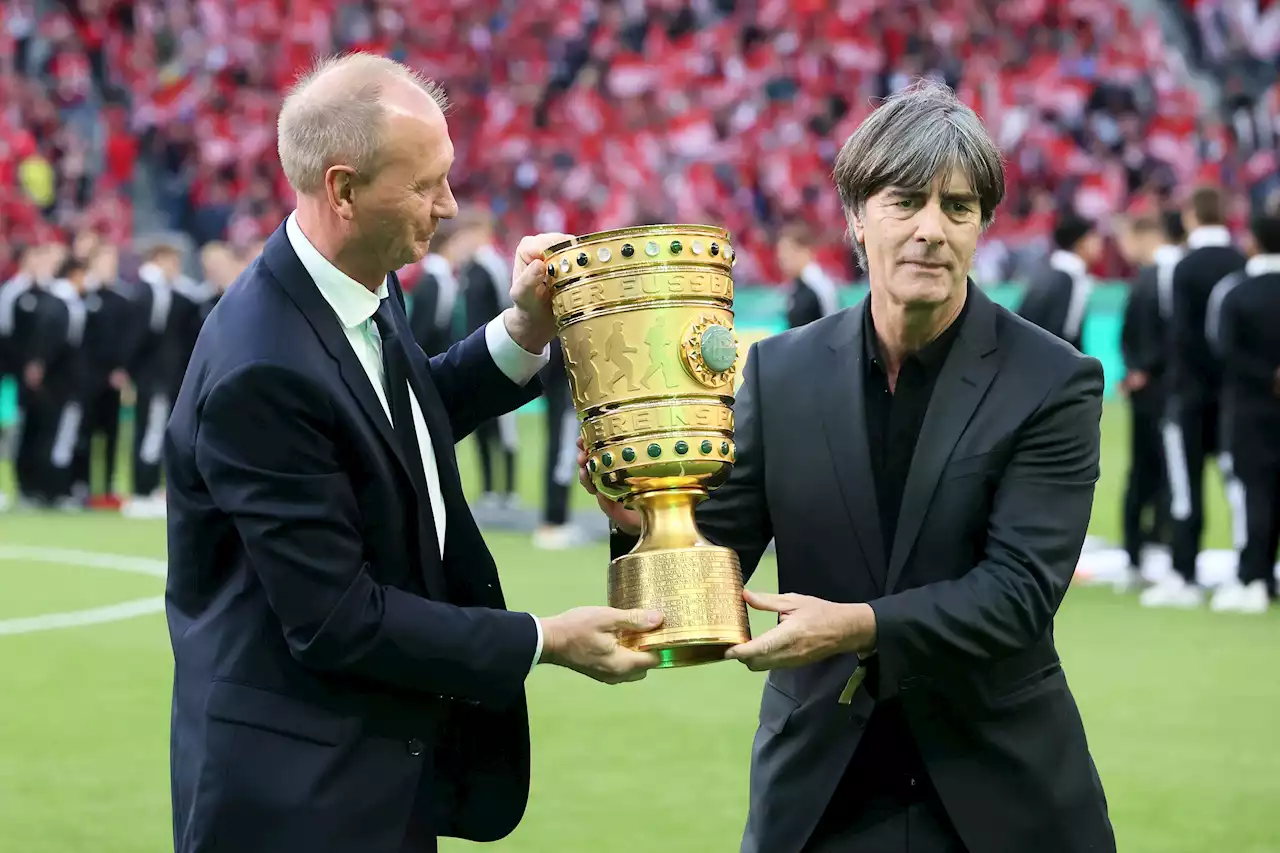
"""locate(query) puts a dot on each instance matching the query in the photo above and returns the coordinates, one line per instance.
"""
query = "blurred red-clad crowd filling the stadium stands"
(584, 115)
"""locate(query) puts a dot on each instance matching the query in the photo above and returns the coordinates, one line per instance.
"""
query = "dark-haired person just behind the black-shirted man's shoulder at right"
(1058, 297)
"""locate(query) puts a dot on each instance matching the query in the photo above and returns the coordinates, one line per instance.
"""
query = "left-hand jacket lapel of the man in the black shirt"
(844, 419)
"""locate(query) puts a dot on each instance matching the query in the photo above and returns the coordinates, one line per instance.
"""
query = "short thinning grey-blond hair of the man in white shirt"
(335, 115)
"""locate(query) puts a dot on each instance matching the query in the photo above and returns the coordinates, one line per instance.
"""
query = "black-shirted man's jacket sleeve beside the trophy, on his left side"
(737, 516)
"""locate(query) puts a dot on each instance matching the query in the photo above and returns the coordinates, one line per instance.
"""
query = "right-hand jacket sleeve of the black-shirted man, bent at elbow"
(1035, 533)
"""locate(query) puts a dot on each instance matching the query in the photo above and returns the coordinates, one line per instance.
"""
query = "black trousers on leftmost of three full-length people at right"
(1146, 500)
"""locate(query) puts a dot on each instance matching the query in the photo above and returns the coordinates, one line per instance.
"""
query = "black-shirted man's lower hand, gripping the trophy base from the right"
(810, 630)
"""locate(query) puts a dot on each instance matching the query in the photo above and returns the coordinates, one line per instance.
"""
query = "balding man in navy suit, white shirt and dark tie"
(348, 674)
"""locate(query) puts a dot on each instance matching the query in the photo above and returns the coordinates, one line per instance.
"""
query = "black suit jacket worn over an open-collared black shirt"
(994, 517)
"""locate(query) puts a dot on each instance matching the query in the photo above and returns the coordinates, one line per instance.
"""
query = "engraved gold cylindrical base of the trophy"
(700, 592)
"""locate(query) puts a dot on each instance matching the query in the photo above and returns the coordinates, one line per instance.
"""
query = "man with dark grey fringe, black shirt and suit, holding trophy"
(925, 464)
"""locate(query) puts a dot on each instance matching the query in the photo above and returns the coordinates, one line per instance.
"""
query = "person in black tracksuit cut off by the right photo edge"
(1246, 334)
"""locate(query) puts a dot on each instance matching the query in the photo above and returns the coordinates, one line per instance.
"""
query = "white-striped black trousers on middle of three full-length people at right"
(1191, 435)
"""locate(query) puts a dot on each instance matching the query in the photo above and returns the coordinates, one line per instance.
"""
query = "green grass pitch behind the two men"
(1183, 709)
